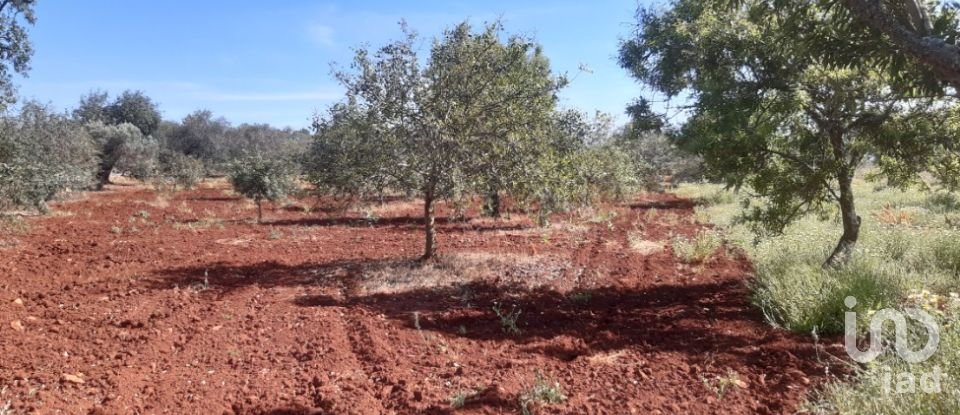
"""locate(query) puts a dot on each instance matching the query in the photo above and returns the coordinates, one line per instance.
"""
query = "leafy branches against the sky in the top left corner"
(15, 47)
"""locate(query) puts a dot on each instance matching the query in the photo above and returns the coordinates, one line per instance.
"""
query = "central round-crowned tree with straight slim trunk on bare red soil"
(440, 124)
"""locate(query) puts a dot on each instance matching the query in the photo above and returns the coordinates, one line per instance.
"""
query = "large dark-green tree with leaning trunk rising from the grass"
(766, 115)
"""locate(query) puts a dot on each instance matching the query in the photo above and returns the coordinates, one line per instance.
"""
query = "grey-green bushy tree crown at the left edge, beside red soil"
(42, 154)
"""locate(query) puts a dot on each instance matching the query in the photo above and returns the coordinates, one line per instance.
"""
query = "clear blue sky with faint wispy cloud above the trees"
(255, 61)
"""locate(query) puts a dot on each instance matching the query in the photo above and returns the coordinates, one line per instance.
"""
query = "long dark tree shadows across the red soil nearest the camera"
(701, 321)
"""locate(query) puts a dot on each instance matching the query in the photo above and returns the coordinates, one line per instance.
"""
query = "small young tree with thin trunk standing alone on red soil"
(261, 179)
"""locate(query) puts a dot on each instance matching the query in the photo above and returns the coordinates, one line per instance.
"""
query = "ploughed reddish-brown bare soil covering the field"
(117, 317)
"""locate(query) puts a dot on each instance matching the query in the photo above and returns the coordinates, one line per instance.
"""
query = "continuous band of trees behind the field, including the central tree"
(476, 115)
